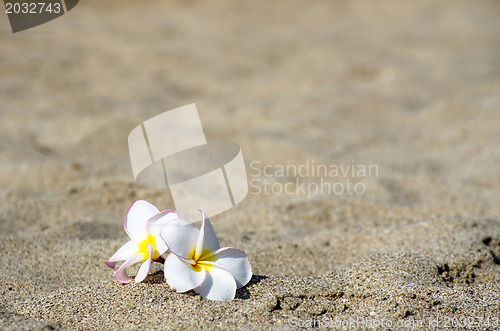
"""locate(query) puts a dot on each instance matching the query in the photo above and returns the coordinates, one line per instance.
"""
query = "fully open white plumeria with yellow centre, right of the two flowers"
(198, 263)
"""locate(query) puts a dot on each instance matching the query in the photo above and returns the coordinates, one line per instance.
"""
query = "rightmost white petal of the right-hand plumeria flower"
(236, 261)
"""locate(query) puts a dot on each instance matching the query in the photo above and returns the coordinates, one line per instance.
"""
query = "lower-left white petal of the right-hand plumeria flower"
(181, 276)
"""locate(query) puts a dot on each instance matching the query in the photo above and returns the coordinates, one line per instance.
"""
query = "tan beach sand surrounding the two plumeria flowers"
(411, 87)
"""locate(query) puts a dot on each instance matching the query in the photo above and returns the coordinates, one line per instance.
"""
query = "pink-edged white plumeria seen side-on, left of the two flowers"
(142, 224)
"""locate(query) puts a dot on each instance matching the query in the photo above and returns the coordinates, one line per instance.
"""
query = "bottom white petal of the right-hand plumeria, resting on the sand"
(219, 284)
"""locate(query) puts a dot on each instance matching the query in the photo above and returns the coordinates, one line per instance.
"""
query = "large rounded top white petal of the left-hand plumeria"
(136, 218)
